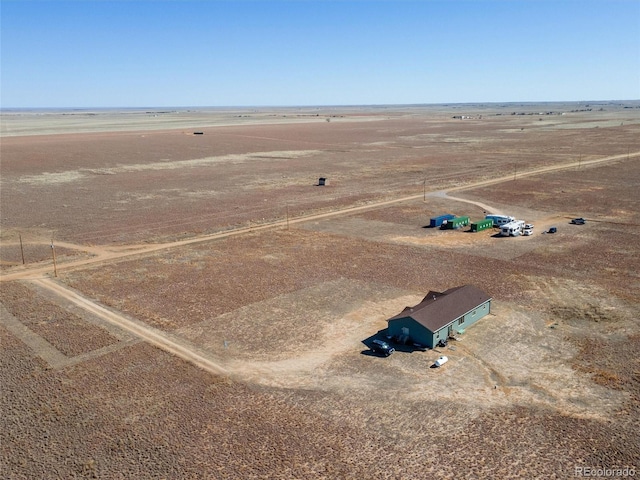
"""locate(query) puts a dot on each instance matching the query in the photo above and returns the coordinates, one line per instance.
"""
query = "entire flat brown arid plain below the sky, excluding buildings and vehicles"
(180, 298)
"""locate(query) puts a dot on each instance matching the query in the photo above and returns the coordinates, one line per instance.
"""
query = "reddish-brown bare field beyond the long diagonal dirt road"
(153, 185)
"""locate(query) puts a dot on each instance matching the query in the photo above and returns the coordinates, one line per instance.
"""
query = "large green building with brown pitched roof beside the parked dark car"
(440, 315)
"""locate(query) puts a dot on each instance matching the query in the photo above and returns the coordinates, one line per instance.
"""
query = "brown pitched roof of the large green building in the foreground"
(437, 310)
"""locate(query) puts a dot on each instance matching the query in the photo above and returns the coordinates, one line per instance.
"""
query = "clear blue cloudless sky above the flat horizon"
(154, 53)
